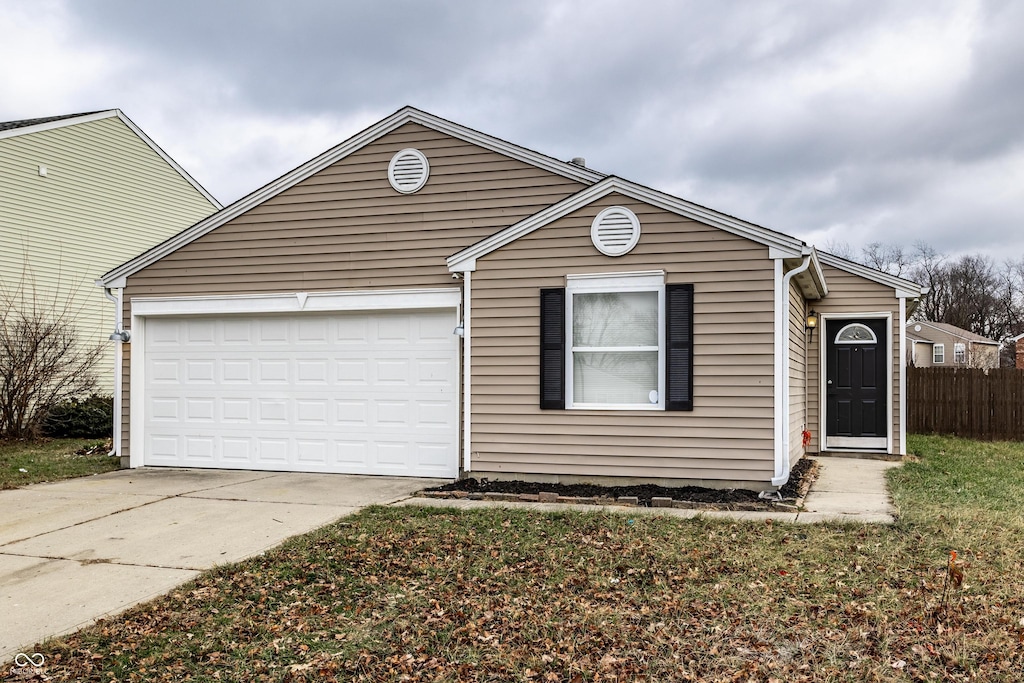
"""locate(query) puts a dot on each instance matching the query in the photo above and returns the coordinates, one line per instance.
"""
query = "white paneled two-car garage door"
(368, 394)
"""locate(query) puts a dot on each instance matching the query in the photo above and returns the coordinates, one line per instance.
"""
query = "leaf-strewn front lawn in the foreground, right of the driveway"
(407, 594)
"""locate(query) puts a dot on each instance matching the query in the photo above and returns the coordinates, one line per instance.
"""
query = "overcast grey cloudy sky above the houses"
(833, 121)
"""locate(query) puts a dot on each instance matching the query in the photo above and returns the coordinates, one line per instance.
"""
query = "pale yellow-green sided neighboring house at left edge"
(80, 194)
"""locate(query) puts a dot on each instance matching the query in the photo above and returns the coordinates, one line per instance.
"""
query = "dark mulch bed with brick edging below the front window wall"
(642, 495)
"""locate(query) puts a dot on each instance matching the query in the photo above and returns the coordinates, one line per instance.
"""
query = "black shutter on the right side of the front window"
(679, 348)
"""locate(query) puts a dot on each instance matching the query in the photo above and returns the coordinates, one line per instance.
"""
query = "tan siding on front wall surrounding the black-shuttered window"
(730, 435)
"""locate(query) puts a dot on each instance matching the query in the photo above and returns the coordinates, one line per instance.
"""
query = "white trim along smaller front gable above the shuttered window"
(466, 260)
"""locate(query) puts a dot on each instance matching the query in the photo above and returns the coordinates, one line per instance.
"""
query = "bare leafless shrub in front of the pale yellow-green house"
(42, 362)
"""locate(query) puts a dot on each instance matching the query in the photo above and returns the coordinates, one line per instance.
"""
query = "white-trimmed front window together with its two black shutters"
(623, 341)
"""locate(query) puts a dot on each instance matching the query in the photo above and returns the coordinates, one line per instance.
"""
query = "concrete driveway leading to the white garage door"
(74, 551)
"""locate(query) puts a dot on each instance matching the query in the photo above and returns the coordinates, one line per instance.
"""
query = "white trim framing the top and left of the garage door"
(368, 301)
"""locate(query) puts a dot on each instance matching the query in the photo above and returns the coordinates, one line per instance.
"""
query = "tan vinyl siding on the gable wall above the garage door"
(346, 228)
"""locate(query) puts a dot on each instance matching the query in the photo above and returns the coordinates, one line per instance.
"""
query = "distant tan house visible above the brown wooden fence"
(944, 346)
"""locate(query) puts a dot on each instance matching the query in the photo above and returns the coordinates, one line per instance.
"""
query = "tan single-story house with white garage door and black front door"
(425, 300)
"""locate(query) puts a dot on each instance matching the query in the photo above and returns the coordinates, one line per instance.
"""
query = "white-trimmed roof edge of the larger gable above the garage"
(355, 144)
